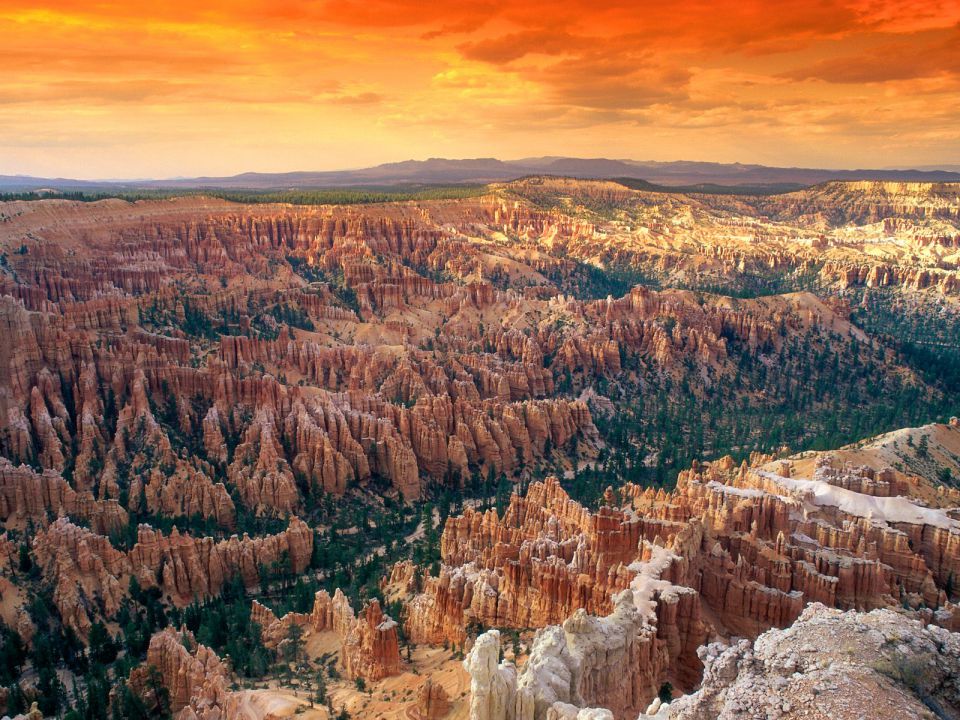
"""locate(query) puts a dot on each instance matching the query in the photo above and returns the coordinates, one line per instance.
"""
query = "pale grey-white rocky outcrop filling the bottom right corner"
(831, 665)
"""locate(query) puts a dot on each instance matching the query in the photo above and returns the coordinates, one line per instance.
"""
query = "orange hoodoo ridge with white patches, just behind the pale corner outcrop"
(750, 542)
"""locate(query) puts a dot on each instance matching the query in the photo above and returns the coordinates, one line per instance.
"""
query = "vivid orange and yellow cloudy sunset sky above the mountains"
(119, 89)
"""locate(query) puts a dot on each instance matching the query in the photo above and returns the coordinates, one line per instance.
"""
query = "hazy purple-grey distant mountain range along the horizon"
(436, 171)
